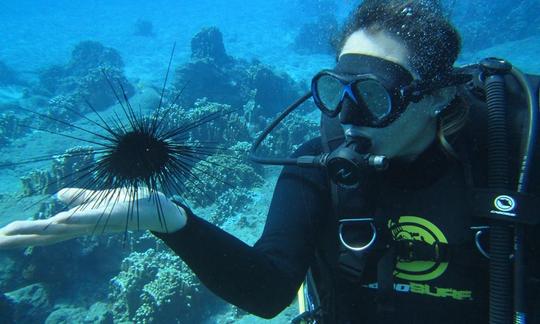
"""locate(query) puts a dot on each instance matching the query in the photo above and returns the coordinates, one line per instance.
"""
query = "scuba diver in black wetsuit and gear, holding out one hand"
(414, 205)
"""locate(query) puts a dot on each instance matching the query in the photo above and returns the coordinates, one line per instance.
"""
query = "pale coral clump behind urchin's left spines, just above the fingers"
(67, 170)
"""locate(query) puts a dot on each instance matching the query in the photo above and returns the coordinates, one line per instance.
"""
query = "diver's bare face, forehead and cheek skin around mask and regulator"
(415, 129)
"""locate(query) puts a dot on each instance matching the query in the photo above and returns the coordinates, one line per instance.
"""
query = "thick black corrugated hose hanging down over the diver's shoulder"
(501, 234)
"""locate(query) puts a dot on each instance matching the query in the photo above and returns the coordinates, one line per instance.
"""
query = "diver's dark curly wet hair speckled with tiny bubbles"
(433, 42)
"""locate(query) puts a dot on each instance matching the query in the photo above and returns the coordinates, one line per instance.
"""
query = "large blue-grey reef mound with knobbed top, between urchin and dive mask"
(220, 78)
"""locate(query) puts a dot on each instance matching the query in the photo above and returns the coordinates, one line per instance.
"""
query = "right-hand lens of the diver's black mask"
(375, 97)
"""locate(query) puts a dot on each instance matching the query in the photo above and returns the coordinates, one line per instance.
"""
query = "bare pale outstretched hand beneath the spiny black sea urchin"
(107, 211)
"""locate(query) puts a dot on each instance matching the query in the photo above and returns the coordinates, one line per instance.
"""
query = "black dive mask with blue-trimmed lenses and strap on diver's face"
(380, 90)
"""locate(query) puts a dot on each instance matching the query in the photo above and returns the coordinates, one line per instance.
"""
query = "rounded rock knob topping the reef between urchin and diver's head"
(207, 44)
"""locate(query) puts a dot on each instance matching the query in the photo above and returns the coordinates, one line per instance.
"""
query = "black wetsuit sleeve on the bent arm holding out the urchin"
(261, 279)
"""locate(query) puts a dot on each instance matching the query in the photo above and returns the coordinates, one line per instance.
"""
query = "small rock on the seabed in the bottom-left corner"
(31, 304)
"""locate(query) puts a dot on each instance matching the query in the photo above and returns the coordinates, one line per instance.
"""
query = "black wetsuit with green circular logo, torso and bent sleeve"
(425, 201)
